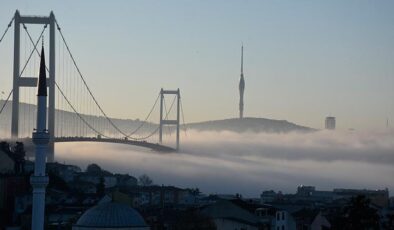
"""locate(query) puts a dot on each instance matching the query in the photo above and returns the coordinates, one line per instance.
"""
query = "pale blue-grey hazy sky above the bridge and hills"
(303, 59)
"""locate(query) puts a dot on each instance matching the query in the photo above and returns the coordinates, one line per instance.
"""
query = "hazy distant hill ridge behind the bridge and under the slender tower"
(236, 125)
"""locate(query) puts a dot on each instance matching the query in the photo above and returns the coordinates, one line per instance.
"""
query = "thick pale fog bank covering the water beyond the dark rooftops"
(248, 163)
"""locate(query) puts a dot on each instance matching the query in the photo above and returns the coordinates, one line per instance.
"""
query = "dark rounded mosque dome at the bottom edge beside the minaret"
(111, 215)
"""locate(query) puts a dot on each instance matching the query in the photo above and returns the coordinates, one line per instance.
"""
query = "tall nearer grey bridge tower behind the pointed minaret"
(19, 81)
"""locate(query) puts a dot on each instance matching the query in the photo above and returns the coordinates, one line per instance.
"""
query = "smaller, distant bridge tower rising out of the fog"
(165, 121)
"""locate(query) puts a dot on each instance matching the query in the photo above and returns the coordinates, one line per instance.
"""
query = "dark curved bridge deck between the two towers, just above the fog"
(153, 146)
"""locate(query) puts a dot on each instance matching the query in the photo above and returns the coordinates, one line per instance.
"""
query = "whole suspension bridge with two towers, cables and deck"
(74, 113)
